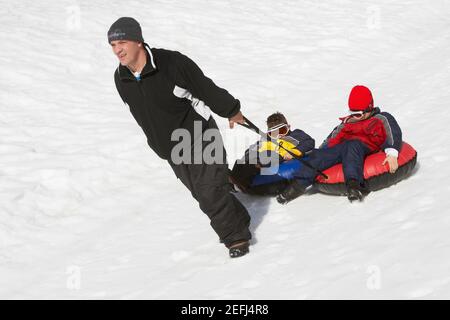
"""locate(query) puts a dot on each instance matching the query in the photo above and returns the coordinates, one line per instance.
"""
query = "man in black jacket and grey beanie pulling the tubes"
(168, 94)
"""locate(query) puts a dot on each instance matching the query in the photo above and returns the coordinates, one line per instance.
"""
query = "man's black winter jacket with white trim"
(172, 93)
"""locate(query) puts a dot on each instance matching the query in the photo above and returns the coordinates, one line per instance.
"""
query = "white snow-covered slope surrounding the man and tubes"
(88, 211)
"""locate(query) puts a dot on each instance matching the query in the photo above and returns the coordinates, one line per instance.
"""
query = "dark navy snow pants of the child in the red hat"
(350, 153)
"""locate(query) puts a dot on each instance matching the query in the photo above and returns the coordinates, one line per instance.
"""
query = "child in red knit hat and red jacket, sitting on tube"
(364, 131)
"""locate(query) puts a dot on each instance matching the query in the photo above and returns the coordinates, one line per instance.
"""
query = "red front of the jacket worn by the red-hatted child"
(370, 131)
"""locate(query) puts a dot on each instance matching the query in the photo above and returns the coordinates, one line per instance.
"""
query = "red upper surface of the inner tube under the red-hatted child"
(372, 165)
